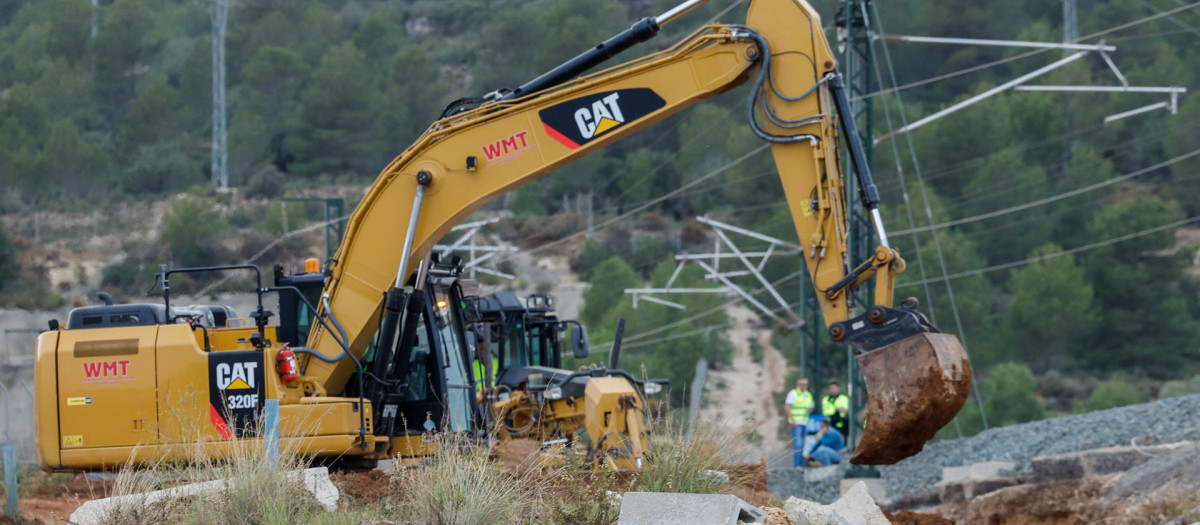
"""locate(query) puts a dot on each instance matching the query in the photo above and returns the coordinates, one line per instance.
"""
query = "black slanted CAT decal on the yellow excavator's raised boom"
(579, 122)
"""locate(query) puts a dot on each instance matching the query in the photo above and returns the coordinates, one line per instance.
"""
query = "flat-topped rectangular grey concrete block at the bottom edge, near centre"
(670, 509)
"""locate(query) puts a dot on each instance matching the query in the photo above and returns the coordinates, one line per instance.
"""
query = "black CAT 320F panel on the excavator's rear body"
(236, 393)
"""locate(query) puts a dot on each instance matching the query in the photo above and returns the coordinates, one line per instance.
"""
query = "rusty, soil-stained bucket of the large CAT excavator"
(915, 387)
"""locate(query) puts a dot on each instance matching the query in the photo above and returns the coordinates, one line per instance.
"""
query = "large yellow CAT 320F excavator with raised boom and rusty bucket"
(134, 383)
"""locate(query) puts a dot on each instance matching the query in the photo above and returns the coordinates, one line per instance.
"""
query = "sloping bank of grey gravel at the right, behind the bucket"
(1166, 421)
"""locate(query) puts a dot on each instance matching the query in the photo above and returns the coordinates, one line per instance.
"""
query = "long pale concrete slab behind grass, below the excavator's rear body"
(316, 481)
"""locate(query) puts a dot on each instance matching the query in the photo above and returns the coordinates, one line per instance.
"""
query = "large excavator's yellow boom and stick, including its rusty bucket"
(469, 159)
